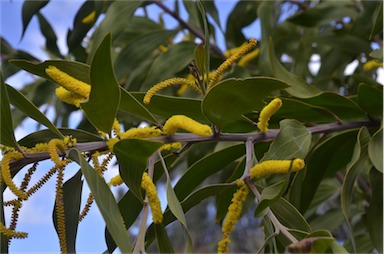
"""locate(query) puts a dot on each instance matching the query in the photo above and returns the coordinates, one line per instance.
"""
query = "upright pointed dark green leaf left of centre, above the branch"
(101, 108)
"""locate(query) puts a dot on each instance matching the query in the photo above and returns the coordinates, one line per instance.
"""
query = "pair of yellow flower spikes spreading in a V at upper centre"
(214, 77)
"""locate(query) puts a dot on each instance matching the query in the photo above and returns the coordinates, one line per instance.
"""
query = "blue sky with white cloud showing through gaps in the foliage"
(36, 213)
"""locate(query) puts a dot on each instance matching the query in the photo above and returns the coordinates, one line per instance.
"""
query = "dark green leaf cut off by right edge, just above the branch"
(370, 98)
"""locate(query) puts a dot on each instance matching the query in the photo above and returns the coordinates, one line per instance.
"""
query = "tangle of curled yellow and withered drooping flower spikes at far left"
(55, 148)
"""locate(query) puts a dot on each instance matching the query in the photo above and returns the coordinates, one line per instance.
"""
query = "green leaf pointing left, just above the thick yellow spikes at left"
(77, 70)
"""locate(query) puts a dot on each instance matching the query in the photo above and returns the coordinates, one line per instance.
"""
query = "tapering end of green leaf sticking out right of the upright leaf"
(130, 104)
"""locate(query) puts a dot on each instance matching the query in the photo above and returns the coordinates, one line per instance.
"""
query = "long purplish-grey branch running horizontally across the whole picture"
(192, 138)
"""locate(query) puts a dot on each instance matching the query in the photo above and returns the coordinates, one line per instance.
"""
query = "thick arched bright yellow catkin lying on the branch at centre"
(183, 122)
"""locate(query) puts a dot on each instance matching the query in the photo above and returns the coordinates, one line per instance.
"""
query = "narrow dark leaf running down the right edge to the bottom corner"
(375, 210)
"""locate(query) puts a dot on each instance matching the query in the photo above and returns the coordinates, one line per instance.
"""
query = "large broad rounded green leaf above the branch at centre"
(227, 101)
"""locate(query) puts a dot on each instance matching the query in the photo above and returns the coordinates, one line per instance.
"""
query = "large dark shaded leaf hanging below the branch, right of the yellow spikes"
(329, 157)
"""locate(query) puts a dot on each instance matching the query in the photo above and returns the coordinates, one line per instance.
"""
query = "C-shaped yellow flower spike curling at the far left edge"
(6, 173)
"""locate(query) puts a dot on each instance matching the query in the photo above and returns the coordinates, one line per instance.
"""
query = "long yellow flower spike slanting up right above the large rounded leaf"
(227, 63)
